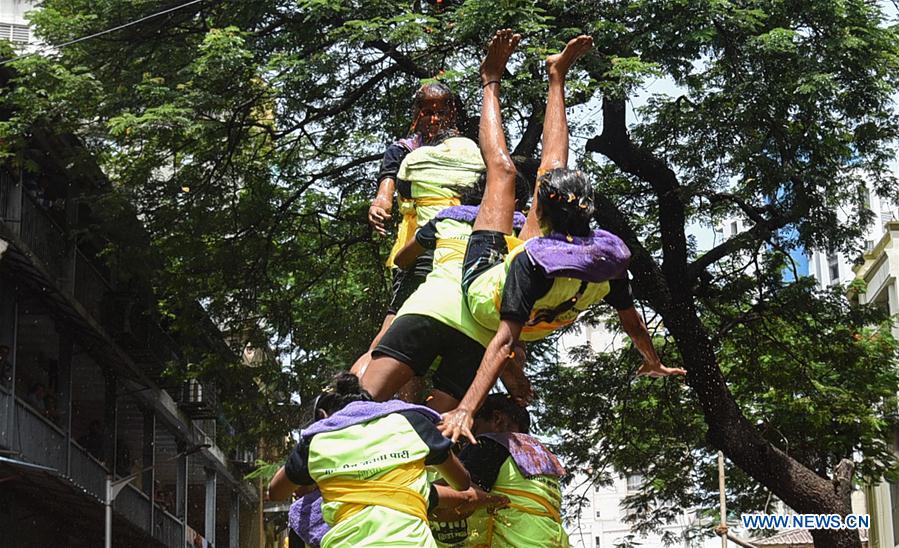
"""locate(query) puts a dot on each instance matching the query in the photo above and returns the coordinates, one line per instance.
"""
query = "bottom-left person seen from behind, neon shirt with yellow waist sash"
(368, 460)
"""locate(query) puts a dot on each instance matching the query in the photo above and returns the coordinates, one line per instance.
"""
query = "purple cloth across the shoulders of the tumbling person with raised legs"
(596, 258)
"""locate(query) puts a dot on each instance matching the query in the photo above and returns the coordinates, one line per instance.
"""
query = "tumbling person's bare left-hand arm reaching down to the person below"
(458, 422)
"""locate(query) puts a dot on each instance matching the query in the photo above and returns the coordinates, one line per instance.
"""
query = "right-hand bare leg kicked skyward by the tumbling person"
(555, 123)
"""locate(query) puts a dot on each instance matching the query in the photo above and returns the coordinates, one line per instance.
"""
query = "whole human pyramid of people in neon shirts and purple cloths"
(473, 278)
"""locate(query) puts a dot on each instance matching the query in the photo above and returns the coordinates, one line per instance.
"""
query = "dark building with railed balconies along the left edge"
(83, 401)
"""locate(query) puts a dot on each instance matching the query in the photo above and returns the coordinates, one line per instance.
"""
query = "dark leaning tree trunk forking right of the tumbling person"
(668, 290)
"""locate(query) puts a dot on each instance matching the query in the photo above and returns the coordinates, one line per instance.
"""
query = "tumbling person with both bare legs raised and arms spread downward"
(565, 267)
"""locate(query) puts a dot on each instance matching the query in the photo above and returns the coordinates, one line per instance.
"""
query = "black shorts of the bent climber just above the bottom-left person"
(417, 340)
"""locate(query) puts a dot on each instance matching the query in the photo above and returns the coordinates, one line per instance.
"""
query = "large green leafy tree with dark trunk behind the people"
(246, 134)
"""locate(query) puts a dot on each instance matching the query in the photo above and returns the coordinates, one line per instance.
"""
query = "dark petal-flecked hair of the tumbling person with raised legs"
(566, 201)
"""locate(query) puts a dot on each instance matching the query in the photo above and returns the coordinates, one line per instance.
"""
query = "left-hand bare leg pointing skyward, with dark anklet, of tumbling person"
(498, 204)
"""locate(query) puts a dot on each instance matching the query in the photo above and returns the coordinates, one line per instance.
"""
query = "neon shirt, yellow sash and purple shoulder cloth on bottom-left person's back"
(345, 455)
